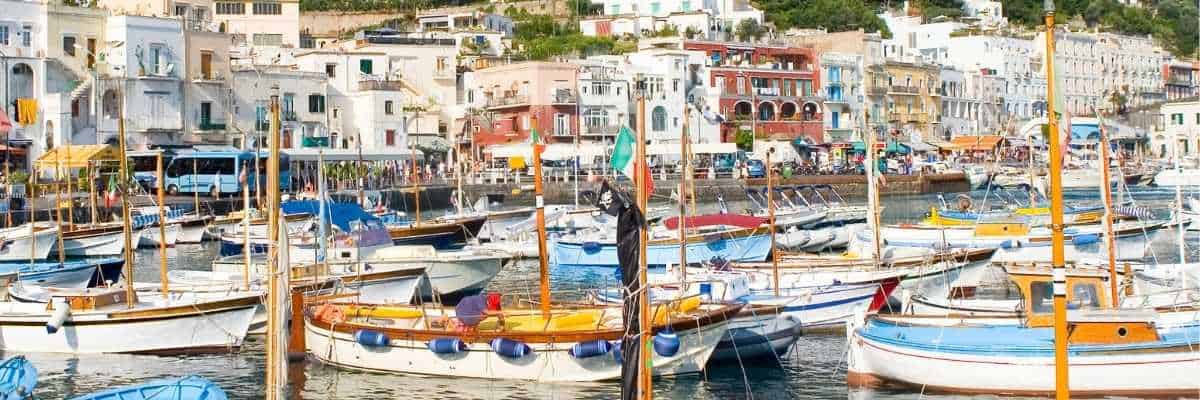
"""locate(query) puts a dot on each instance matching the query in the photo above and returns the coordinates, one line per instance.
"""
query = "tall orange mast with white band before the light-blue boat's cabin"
(1058, 252)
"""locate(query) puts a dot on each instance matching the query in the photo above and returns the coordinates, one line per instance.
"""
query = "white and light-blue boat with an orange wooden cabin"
(1113, 353)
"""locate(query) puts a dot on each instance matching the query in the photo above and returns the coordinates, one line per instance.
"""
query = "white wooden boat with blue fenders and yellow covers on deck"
(572, 345)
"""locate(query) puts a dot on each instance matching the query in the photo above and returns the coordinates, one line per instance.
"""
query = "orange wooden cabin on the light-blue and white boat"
(1091, 320)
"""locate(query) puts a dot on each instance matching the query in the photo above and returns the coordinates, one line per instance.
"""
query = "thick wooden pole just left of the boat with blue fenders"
(277, 363)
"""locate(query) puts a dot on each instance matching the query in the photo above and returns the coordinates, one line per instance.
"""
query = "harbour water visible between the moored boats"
(813, 369)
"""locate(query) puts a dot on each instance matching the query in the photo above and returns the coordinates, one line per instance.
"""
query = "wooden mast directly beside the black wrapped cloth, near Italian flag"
(640, 176)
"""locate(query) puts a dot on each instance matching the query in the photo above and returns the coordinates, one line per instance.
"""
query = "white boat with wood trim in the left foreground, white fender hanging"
(98, 321)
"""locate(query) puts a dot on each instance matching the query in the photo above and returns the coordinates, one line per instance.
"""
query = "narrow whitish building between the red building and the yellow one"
(844, 97)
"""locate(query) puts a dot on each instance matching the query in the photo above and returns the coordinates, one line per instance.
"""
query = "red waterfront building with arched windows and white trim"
(771, 91)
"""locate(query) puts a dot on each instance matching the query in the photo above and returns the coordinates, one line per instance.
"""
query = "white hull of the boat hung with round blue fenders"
(547, 363)
